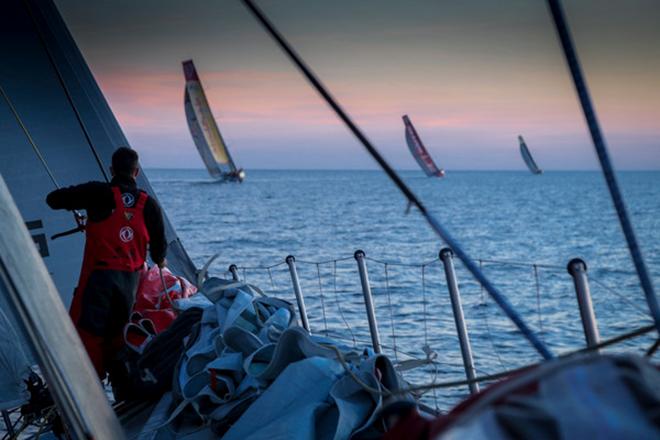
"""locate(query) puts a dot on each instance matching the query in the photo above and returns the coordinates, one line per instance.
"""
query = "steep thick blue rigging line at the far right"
(603, 156)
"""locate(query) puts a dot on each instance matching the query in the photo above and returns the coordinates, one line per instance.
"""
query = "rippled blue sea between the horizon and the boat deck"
(523, 229)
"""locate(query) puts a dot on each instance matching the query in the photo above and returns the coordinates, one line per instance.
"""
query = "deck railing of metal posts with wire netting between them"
(337, 288)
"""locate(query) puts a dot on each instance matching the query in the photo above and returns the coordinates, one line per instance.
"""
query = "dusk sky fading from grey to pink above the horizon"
(472, 75)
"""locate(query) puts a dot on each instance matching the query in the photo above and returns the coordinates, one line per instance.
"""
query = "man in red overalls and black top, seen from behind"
(122, 222)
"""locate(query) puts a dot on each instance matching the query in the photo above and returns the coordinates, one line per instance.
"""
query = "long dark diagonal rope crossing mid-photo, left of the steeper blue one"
(412, 198)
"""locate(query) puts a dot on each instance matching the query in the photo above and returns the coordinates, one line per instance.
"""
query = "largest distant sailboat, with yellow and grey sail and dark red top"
(204, 130)
